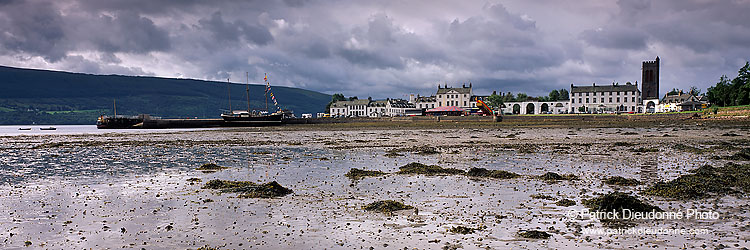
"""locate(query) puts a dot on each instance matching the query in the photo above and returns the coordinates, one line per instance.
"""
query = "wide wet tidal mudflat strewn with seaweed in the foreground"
(107, 191)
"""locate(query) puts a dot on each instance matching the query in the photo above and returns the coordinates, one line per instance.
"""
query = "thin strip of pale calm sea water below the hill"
(14, 130)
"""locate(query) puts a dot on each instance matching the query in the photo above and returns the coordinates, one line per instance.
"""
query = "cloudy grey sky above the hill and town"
(382, 49)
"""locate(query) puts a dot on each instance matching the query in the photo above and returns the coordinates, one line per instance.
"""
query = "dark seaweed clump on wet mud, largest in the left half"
(248, 189)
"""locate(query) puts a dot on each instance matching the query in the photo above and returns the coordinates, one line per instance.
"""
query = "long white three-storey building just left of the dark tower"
(605, 98)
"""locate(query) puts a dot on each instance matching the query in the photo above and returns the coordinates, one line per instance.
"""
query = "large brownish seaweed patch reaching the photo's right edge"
(704, 182)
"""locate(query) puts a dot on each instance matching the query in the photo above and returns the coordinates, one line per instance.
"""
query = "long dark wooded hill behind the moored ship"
(49, 97)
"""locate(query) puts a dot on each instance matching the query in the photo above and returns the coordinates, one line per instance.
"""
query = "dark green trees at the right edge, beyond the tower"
(732, 92)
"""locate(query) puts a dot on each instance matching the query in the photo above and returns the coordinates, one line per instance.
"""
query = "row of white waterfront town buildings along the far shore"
(608, 98)
